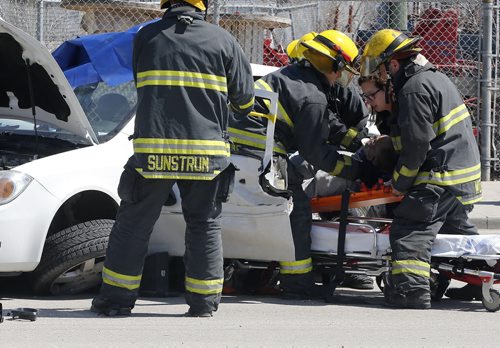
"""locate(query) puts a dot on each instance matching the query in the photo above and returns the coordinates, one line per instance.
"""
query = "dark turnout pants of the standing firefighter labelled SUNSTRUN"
(142, 200)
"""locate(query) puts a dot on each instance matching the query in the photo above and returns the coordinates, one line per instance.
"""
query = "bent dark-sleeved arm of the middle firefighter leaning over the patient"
(311, 133)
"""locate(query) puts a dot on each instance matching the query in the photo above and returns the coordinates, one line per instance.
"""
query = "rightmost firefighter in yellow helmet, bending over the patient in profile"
(438, 170)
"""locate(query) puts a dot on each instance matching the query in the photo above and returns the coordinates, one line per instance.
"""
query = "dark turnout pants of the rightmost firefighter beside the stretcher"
(423, 212)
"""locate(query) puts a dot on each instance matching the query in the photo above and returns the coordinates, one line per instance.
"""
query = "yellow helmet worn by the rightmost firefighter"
(382, 46)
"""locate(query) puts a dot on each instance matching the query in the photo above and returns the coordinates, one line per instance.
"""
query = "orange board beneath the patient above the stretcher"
(366, 198)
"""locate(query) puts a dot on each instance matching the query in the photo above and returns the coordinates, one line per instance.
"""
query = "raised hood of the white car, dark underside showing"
(26, 65)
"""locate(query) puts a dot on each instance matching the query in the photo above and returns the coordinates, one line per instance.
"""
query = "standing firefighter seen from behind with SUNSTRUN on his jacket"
(186, 72)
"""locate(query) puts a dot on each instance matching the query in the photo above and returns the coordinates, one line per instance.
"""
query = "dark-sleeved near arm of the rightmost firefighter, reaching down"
(414, 117)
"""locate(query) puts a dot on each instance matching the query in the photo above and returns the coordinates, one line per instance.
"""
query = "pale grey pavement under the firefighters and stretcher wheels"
(358, 319)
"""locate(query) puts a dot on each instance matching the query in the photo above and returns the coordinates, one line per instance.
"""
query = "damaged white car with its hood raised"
(61, 155)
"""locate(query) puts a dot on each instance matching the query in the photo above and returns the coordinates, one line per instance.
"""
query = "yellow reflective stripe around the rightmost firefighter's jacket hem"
(452, 177)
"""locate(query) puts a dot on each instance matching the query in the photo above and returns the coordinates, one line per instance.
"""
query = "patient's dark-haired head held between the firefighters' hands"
(381, 153)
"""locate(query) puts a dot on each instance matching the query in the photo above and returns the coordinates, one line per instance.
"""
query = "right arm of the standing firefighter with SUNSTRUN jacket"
(240, 81)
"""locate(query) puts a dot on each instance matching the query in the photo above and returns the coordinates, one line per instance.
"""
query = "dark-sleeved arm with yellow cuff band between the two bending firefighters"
(348, 119)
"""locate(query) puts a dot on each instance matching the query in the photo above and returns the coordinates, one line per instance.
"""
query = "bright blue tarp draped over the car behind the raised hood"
(99, 57)
